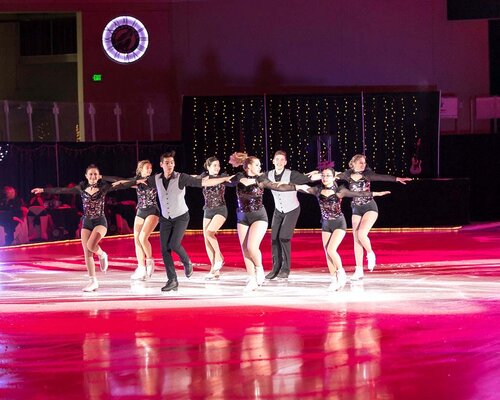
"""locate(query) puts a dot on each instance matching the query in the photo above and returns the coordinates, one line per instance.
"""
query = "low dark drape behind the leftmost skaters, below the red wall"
(29, 165)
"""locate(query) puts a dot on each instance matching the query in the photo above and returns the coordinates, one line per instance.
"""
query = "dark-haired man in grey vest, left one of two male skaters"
(174, 218)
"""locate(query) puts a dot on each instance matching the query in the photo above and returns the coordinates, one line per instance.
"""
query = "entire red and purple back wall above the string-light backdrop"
(272, 46)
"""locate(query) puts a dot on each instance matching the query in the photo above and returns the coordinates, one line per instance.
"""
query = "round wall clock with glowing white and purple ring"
(125, 39)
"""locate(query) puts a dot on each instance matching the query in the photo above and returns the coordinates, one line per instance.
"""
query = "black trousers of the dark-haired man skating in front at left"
(171, 233)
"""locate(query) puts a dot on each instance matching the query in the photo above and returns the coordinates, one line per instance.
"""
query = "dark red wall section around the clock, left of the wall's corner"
(149, 80)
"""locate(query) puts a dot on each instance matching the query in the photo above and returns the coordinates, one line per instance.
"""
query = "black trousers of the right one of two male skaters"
(282, 229)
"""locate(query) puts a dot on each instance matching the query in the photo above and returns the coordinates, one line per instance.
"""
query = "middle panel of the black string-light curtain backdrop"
(315, 130)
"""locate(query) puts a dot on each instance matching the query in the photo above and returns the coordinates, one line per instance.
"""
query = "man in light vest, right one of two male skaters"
(286, 214)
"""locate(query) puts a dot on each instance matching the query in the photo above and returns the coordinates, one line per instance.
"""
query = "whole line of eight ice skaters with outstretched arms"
(160, 199)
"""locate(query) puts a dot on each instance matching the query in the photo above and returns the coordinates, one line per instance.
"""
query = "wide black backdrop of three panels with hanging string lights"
(317, 129)
